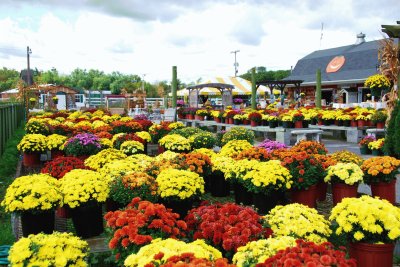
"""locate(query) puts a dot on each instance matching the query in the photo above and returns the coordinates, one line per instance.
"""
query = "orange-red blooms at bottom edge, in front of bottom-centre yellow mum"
(188, 260)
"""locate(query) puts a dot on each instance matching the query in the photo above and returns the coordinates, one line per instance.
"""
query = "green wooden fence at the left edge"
(11, 117)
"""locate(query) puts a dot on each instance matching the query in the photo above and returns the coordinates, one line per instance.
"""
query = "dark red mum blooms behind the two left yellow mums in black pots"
(60, 166)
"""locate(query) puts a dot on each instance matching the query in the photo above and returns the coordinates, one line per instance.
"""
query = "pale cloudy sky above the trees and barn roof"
(148, 37)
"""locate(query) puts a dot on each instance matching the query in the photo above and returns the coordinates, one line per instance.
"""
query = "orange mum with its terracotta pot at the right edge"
(380, 174)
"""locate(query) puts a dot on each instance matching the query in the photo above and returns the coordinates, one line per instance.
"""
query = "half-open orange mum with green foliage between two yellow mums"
(124, 188)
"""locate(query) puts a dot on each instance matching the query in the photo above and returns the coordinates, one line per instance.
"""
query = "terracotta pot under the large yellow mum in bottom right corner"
(372, 255)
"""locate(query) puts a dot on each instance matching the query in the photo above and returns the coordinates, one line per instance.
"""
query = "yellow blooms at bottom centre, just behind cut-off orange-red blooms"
(171, 247)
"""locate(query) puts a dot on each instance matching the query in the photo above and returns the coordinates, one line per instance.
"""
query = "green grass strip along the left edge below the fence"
(8, 166)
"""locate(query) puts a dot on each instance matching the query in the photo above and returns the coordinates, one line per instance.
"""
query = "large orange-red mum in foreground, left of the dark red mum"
(138, 225)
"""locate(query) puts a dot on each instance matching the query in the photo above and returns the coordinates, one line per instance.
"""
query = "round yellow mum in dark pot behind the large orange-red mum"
(178, 189)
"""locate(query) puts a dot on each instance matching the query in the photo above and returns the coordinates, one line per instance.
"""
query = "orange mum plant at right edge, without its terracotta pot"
(380, 169)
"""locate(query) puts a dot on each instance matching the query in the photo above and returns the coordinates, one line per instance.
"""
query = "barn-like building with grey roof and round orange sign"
(343, 72)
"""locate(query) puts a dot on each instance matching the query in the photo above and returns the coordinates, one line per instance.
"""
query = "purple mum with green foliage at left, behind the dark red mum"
(82, 145)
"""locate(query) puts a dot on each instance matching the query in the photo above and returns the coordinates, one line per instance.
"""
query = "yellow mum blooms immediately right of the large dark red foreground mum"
(299, 221)
